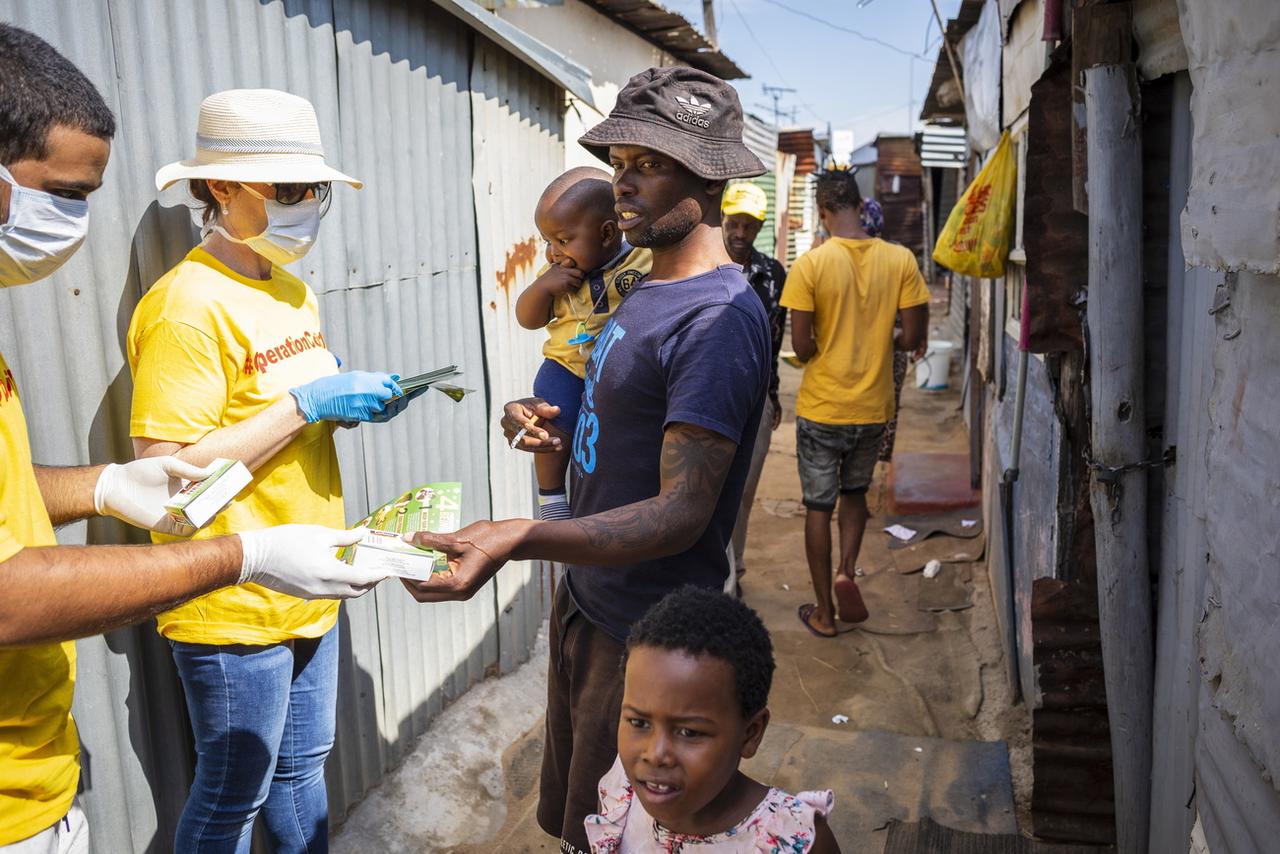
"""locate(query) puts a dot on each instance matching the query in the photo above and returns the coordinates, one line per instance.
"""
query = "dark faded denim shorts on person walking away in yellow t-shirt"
(835, 460)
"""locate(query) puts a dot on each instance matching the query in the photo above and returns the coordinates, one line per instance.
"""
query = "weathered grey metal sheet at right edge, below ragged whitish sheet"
(1237, 751)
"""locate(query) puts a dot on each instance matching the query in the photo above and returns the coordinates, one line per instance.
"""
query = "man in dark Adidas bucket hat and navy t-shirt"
(675, 389)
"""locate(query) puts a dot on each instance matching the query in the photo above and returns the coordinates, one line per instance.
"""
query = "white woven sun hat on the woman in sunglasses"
(258, 135)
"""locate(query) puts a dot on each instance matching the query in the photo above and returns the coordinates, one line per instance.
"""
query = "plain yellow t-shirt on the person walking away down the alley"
(854, 290)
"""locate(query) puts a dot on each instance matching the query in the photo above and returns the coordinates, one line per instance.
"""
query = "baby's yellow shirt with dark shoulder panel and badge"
(592, 304)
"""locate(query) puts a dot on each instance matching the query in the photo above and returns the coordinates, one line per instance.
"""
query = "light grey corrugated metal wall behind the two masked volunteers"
(403, 282)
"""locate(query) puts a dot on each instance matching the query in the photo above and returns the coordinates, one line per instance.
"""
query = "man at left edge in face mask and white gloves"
(56, 139)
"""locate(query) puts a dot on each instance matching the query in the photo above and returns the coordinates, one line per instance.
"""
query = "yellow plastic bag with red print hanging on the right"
(977, 235)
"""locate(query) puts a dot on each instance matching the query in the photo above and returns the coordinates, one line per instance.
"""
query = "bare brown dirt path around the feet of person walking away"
(949, 682)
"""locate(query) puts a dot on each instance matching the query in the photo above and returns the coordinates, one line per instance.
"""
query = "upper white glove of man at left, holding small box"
(138, 492)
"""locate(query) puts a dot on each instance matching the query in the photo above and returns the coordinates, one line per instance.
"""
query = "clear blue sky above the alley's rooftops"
(840, 79)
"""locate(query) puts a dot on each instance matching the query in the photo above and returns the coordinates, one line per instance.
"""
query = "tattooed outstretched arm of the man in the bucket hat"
(694, 465)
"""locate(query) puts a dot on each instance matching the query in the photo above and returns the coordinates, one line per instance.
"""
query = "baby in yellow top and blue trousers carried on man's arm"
(591, 268)
